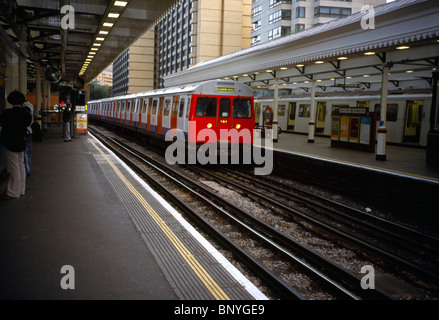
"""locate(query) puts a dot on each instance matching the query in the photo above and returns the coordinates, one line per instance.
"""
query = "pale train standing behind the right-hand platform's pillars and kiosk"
(407, 116)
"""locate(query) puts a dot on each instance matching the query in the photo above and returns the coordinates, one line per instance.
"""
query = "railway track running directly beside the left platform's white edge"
(322, 275)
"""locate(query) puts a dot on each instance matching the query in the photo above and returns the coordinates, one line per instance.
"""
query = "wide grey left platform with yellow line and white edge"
(116, 238)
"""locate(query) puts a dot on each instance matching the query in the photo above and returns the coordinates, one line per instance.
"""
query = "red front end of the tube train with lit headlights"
(222, 117)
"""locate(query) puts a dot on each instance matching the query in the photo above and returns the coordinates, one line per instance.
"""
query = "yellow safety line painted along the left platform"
(199, 270)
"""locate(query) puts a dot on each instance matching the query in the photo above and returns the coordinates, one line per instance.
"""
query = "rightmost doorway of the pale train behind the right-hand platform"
(413, 120)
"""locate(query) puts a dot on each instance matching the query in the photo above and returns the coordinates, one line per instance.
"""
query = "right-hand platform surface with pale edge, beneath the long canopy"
(400, 160)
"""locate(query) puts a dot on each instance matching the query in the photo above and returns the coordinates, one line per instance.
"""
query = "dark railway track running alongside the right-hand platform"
(380, 237)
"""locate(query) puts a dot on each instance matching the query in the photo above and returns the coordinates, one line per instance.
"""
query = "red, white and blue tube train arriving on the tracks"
(220, 106)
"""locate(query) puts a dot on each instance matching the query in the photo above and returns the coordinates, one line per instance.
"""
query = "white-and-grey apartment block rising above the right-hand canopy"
(272, 19)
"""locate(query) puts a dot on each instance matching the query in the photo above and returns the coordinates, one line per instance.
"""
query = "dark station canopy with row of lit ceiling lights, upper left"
(65, 33)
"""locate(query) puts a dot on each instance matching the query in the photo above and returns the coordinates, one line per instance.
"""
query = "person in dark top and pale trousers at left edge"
(14, 122)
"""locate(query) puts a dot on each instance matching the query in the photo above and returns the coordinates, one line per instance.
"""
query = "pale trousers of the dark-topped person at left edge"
(17, 171)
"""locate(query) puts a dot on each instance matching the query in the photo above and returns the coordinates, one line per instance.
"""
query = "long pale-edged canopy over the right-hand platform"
(341, 55)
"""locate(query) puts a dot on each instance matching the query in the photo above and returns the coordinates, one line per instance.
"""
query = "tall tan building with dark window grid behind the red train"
(191, 32)
